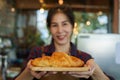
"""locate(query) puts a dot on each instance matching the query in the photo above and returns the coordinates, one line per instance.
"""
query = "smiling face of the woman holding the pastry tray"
(61, 29)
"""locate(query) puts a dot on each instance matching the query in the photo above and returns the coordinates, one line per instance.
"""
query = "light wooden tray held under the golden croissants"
(60, 68)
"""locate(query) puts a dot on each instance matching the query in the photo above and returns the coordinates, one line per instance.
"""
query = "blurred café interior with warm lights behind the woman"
(23, 26)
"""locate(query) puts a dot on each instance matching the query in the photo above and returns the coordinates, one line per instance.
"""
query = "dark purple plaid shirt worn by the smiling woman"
(49, 49)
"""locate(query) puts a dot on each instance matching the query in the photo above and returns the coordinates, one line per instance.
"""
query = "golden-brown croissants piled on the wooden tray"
(58, 59)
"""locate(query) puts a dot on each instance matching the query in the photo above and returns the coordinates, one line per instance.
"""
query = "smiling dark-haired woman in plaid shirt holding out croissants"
(60, 22)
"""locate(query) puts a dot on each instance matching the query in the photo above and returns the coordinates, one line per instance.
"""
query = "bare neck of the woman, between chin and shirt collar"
(62, 48)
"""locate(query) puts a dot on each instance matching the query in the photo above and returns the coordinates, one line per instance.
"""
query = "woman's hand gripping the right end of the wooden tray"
(86, 74)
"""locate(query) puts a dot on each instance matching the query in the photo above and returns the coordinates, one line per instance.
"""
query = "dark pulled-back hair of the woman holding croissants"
(65, 9)
